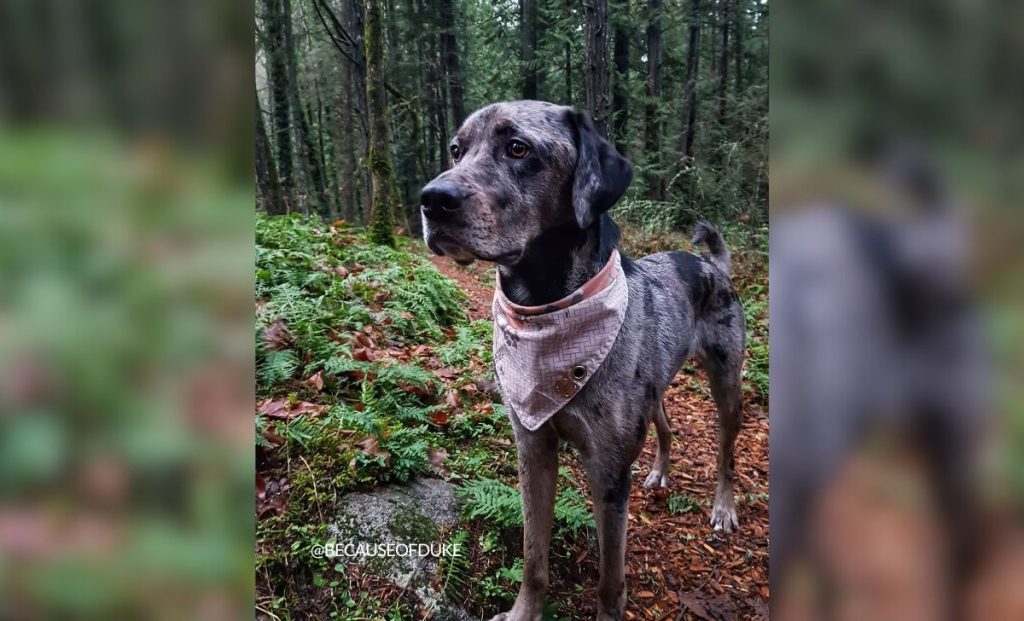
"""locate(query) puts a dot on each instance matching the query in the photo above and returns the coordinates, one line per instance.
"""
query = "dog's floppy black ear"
(602, 176)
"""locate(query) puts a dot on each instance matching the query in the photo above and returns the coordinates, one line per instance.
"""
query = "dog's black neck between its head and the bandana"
(560, 262)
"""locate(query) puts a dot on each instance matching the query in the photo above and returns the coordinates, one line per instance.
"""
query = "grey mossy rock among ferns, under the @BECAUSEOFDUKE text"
(423, 512)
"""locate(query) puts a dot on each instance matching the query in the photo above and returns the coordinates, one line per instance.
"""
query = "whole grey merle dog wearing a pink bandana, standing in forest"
(529, 189)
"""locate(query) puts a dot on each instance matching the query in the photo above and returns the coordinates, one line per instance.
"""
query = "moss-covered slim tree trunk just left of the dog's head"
(382, 174)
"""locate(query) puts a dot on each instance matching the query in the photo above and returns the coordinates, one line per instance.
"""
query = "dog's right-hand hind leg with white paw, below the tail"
(724, 377)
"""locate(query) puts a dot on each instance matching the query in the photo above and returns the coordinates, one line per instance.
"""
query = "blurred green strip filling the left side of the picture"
(125, 313)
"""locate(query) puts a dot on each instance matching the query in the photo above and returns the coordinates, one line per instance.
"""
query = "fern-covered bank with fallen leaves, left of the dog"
(368, 372)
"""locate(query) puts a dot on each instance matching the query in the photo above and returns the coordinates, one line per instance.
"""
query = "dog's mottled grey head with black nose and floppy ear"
(518, 170)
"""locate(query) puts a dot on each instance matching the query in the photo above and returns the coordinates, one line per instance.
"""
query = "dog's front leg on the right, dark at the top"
(610, 485)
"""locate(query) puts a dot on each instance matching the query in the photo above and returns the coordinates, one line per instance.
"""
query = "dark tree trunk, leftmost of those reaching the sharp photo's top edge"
(278, 78)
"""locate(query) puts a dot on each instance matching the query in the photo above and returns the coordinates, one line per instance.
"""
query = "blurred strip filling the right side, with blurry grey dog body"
(898, 442)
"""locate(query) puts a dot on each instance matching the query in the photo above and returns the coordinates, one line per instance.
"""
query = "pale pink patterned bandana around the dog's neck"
(545, 355)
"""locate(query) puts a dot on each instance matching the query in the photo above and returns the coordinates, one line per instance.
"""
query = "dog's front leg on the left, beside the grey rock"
(538, 458)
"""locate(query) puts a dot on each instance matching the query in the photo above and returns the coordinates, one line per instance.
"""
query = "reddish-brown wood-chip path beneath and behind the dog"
(677, 567)
